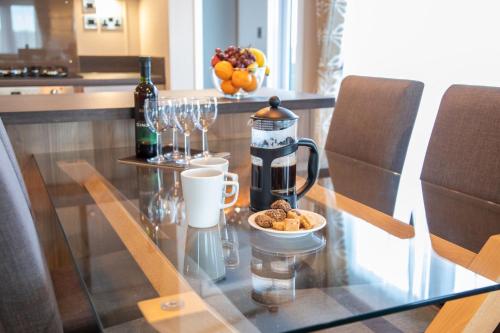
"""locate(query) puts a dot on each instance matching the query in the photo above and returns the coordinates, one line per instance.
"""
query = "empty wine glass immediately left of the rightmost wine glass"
(184, 119)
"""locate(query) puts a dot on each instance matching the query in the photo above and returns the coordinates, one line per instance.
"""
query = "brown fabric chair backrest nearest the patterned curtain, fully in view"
(373, 120)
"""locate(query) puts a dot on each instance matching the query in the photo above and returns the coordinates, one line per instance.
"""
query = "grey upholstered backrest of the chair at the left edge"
(27, 301)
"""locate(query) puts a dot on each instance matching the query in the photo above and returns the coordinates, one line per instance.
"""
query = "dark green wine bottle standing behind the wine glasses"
(145, 139)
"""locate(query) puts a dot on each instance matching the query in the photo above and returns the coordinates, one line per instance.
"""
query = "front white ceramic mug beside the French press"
(204, 191)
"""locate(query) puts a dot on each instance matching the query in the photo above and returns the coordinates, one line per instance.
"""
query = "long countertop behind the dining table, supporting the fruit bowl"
(33, 109)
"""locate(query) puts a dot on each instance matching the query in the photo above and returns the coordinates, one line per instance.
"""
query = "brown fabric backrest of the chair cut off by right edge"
(464, 149)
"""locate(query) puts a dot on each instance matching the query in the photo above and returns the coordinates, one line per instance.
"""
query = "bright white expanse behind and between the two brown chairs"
(437, 42)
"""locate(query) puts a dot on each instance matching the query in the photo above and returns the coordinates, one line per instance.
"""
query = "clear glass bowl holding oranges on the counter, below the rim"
(243, 82)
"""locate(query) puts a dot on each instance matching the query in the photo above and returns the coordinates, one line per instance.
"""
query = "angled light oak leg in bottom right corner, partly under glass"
(480, 313)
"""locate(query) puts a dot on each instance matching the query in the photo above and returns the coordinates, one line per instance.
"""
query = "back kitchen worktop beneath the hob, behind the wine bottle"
(83, 79)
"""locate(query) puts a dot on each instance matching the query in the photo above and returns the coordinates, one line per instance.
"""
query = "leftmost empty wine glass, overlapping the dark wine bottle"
(158, 123)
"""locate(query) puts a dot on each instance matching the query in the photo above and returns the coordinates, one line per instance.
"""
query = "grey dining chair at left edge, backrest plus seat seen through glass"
(32, 299)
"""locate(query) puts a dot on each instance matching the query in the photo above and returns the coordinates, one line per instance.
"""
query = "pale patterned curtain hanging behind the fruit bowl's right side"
(330, 15)
